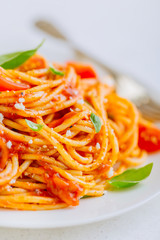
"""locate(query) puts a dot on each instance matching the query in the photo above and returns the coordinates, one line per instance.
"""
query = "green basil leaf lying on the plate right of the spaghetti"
(131, 177)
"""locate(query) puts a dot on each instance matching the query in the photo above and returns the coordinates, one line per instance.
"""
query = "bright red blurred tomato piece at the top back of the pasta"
(83, 70)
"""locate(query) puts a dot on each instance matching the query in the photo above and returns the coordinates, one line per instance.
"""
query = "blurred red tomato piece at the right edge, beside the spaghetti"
(149, 138)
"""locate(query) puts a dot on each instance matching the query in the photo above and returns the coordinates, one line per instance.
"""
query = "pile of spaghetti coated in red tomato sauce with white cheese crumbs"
(62, 135)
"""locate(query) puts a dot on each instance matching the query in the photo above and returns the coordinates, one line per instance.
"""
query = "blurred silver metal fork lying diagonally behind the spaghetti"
(126, 86)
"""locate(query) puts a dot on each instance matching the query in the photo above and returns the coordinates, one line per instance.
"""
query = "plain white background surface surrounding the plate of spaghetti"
(124, 34)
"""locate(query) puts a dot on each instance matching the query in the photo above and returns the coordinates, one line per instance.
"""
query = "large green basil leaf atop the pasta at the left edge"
(13, 60)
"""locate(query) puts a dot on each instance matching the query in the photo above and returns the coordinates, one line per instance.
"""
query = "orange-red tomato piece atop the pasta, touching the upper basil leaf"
(34, 62)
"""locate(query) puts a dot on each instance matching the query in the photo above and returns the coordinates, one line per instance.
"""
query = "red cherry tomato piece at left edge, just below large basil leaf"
(6, 84)
